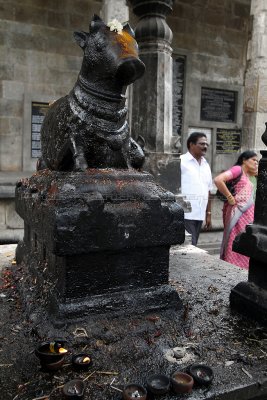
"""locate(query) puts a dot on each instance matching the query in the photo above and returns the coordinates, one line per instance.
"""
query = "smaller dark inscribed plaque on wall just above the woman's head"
(228, 141)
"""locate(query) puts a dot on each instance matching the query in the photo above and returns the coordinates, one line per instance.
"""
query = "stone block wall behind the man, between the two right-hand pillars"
(213, 37)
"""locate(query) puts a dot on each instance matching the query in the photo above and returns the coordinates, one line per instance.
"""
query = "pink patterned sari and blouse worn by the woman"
(235, 218)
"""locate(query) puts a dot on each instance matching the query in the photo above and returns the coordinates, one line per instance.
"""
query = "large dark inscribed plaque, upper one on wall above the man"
(218, 105)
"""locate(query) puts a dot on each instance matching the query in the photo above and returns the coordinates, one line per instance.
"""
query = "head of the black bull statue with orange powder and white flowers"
(110, 54)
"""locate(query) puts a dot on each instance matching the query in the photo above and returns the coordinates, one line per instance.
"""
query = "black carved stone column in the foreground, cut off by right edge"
(250, 298)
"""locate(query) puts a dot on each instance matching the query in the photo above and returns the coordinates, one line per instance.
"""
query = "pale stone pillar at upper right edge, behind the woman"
(255, 94)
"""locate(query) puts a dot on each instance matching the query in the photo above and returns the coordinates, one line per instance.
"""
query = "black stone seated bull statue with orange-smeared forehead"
(88, 127)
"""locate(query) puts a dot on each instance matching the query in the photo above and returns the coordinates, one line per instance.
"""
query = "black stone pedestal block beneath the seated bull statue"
(97, 241)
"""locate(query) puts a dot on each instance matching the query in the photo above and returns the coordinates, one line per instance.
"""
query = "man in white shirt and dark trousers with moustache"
(196, 183)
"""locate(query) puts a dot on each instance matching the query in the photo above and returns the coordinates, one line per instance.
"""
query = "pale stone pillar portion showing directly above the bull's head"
(114, 9)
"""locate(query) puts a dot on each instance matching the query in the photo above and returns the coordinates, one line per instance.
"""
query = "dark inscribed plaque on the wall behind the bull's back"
(38, 113)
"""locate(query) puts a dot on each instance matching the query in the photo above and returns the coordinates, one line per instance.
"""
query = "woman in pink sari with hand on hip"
(238, 210)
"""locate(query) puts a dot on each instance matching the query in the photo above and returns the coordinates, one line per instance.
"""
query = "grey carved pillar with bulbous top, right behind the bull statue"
(152, 96)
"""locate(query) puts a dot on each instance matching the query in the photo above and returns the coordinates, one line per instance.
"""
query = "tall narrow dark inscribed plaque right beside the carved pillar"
(178, 93)
